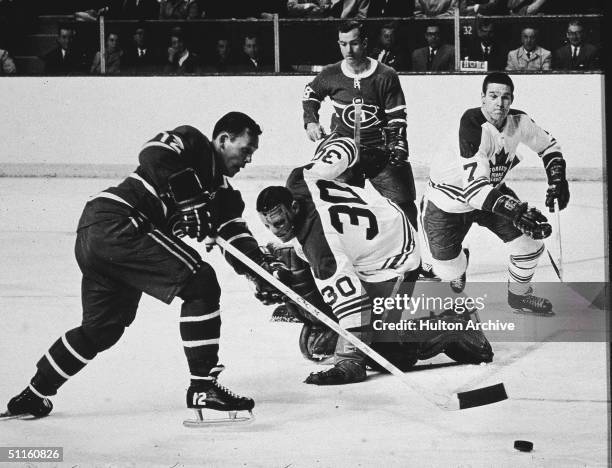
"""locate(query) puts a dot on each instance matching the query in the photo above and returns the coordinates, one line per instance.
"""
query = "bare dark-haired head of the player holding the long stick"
(235, 139)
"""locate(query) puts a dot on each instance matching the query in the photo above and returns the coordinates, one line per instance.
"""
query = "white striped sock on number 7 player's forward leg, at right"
(523, 260)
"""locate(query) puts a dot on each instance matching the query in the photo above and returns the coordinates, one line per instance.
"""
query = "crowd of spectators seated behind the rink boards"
(135, 52)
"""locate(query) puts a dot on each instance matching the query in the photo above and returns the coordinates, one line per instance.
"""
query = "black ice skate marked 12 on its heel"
(210, 395)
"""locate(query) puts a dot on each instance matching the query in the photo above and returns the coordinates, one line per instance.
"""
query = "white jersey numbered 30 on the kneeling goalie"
(348, 235)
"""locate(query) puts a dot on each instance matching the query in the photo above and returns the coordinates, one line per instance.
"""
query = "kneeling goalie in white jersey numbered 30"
(359, 245)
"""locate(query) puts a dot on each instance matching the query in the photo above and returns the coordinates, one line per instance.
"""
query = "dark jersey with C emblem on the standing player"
(381, 92)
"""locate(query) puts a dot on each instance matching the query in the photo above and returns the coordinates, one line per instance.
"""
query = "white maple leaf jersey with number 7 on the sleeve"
(462, 184)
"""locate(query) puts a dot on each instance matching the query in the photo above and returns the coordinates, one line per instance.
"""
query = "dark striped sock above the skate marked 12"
(200, 330)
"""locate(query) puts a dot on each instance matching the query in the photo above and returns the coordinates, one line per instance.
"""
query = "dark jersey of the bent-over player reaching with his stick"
(144, 195)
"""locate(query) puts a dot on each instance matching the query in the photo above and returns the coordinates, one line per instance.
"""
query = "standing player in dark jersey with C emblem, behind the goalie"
(359, 79)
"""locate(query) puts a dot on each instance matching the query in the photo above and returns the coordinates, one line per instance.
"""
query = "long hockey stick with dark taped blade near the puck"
(478, 397)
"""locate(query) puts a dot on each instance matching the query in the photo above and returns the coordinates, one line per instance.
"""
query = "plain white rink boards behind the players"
(96, 125)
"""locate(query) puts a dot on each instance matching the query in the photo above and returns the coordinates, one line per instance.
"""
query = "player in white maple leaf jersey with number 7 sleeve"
(471, 189)
